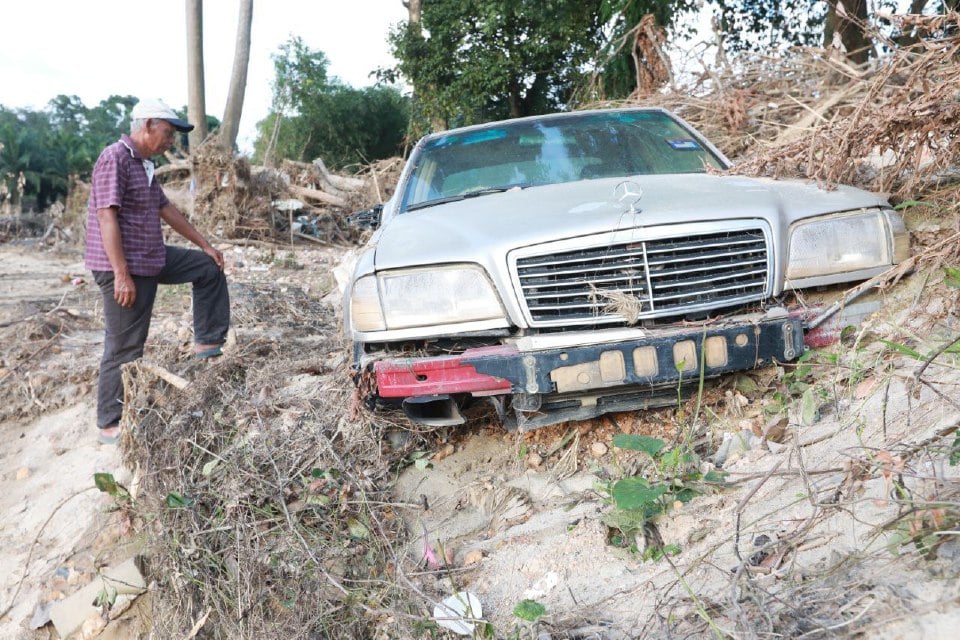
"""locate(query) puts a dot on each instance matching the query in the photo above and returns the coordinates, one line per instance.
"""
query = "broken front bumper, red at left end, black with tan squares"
(592, 362)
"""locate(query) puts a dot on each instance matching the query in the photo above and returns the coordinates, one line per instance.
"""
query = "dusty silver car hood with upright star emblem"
(475, 229)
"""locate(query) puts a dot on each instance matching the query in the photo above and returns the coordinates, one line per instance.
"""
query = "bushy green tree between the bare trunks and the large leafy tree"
(314, 116)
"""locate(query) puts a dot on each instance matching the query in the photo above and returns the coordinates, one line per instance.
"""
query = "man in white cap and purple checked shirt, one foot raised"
(128, 257)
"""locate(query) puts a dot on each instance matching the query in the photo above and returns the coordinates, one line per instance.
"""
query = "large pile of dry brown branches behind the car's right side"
(888, 127)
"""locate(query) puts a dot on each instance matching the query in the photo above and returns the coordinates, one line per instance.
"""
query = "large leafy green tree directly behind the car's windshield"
(476, 60)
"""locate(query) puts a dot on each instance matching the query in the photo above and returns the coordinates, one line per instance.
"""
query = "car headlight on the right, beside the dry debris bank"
(845, 243)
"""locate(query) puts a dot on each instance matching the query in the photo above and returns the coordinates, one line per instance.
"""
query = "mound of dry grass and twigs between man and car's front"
(264, 503)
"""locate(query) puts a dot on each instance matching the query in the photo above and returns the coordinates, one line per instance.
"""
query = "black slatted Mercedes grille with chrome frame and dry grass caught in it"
(641, 280)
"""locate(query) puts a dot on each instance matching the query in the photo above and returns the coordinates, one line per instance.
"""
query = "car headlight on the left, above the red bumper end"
(424, 297)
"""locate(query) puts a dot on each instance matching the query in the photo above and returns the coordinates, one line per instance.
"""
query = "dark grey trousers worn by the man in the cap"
(127, 328)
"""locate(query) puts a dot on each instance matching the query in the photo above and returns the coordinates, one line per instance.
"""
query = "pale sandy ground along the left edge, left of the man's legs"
(56, 530)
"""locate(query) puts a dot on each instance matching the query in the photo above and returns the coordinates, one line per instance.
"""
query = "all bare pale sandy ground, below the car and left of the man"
(804, 540)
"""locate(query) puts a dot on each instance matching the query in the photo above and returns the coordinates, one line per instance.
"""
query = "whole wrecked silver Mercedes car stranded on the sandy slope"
(570, 265)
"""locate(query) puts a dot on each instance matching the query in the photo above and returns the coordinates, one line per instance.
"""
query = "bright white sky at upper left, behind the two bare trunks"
(98, 48)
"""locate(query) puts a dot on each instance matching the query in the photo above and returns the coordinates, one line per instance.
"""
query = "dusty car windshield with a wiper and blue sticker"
(553, 150)
